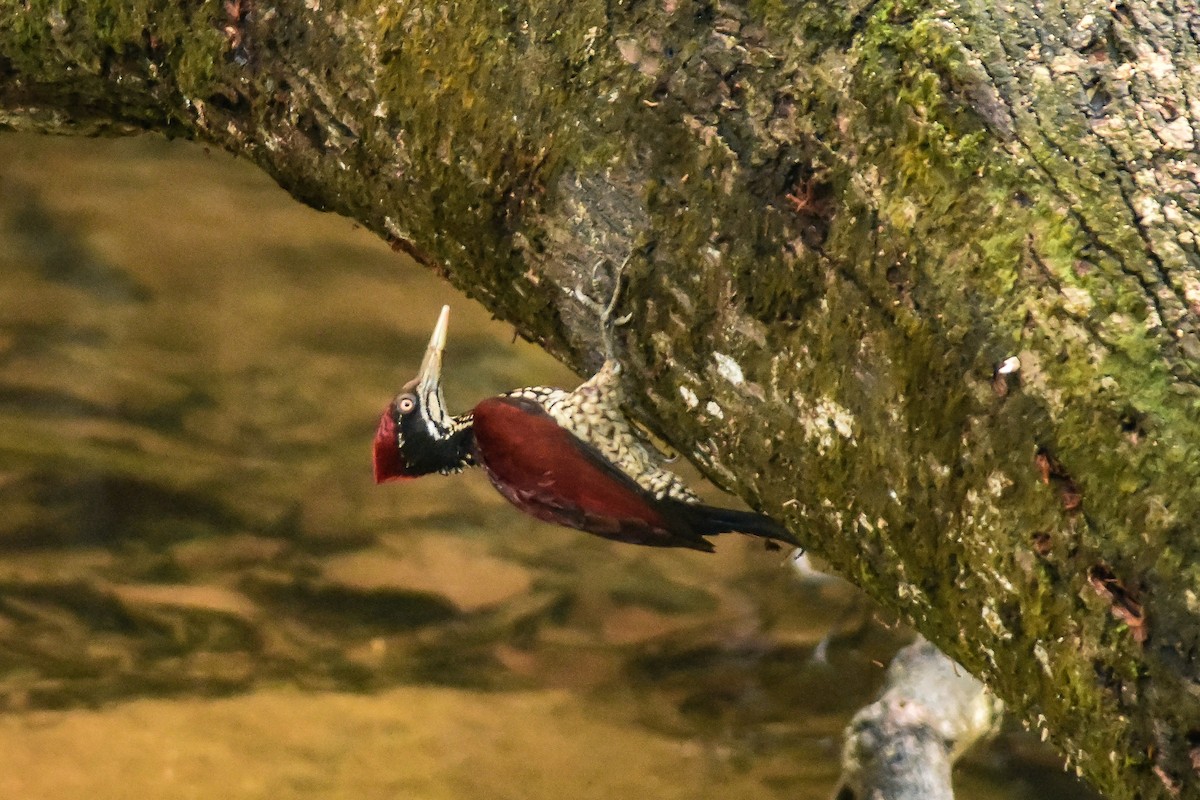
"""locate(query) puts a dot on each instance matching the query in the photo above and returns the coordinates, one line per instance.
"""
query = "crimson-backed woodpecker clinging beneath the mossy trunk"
(569, 459)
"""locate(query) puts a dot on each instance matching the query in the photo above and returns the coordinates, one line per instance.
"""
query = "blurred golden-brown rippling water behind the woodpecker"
(203, 594)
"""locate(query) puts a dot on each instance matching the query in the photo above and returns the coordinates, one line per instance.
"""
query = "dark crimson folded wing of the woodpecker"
(545, 471)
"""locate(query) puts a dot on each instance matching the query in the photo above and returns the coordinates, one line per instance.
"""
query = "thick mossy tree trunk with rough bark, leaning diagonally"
(841, 219)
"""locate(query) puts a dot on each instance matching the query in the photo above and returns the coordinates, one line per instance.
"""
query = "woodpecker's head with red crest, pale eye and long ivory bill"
(416, 436)
